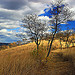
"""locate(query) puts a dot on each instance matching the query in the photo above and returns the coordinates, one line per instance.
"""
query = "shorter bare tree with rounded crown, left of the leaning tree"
(35, 28)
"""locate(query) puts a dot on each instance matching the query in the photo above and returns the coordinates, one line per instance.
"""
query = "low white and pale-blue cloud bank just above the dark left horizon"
(8, 36)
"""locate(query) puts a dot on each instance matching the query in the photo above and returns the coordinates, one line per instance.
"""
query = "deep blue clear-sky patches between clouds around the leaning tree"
(49, 12)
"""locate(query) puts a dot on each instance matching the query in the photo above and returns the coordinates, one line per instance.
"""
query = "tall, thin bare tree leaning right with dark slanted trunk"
(59, 13)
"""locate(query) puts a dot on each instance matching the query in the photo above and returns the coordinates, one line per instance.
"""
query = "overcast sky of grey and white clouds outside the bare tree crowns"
(13, 11)
